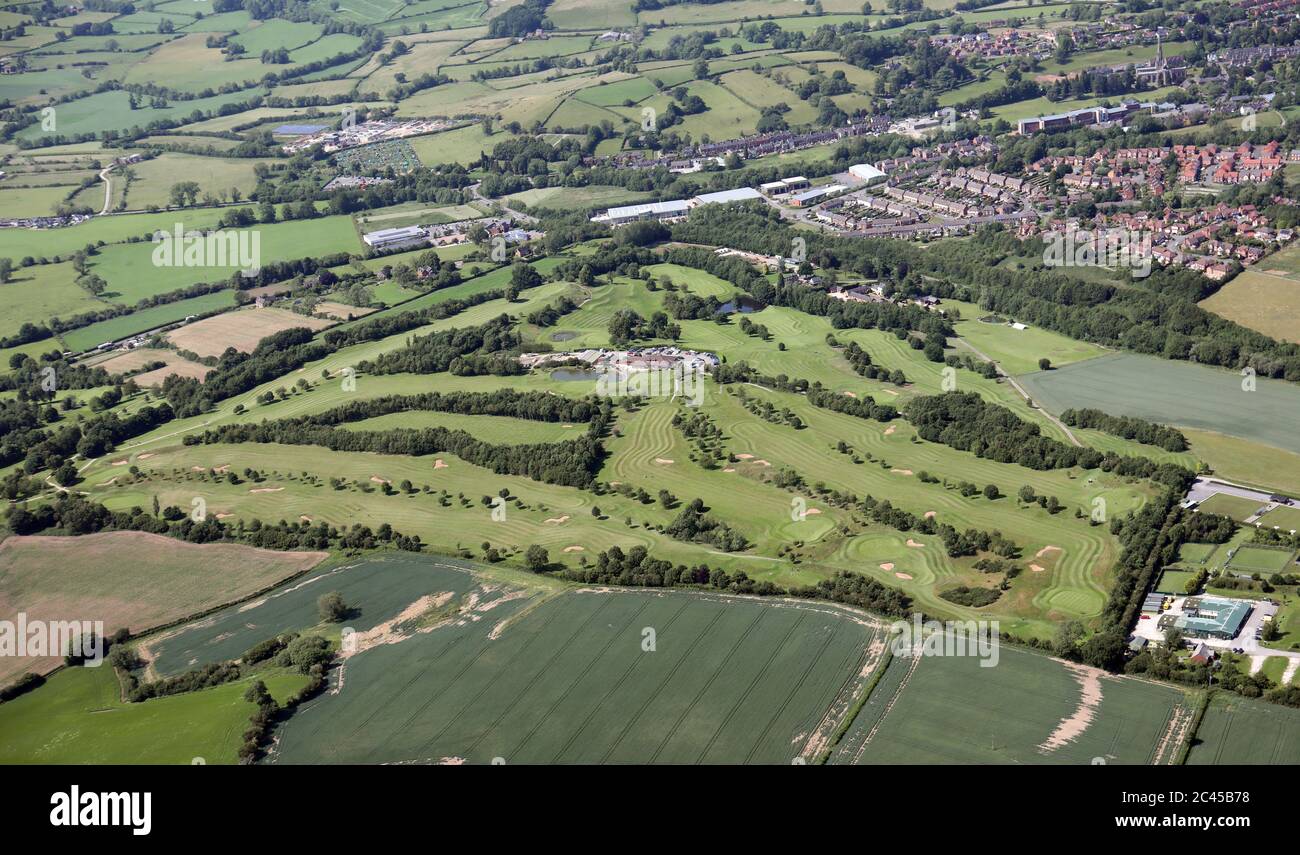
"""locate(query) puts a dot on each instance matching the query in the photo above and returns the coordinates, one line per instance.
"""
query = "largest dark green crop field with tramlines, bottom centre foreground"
(496, 667)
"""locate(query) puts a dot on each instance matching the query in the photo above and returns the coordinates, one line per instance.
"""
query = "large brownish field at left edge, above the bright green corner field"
(128, 580)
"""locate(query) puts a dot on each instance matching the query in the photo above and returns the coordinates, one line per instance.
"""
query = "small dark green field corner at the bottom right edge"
(1238, 731)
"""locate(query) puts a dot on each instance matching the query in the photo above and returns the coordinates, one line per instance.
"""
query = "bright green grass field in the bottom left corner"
(79, 718)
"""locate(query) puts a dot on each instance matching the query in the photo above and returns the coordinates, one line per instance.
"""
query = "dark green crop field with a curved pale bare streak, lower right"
(1029, 709)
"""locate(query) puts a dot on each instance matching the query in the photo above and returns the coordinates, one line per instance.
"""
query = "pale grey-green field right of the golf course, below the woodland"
(1181, 394)
